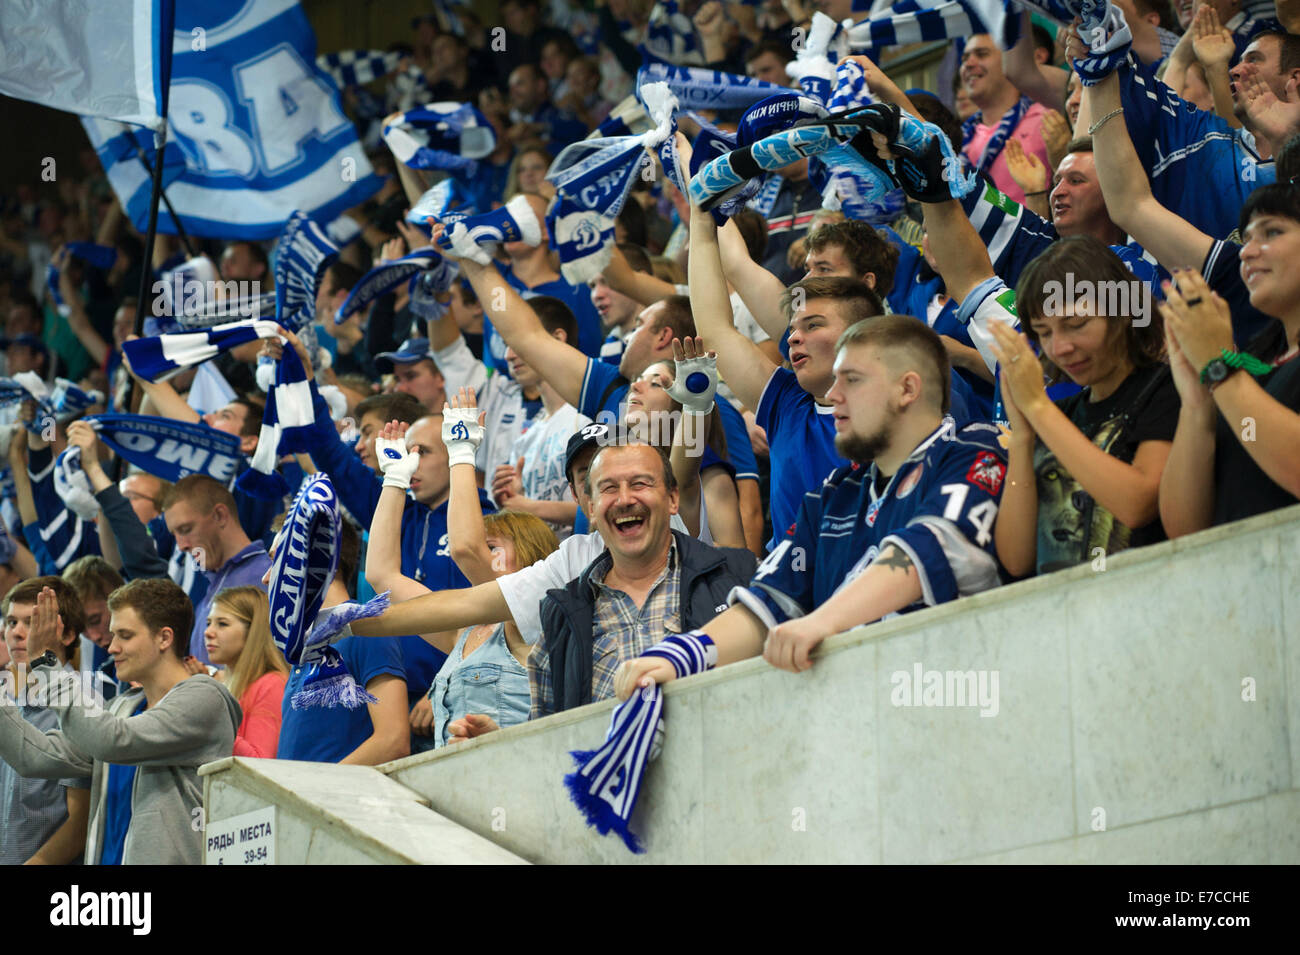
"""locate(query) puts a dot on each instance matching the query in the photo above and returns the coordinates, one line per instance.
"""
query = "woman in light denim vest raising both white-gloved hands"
(486, 671)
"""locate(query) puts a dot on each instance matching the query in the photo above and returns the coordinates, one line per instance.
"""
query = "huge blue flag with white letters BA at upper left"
(257, 125)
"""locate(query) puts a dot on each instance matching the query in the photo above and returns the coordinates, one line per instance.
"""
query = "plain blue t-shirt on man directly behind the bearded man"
(801, 435)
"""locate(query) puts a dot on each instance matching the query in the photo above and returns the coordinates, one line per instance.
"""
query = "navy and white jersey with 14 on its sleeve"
(939, 510)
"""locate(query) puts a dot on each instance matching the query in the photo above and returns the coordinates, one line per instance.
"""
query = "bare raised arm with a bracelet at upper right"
(1172, 240)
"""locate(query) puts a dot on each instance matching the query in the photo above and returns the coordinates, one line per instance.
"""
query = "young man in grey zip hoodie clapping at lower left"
(145, 752)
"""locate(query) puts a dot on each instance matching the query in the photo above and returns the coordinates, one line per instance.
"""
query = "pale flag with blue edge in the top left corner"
(102, 59)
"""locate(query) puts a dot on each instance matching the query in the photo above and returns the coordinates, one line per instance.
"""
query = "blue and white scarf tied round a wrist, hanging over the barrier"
(608, 782)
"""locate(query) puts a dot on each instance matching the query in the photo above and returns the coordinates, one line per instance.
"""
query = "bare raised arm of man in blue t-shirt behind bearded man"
(740, 363)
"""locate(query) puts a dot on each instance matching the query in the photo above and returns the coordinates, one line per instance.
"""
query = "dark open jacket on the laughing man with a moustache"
(708, 576)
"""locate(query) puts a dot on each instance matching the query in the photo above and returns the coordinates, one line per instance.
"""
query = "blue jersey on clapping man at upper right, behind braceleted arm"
(1199, 167)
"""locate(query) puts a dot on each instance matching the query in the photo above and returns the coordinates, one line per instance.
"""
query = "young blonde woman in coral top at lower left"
(239, 637)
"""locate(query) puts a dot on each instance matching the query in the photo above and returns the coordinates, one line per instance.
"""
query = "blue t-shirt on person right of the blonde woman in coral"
(327, 735)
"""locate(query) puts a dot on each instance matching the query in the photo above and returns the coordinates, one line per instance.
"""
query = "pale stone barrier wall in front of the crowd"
(1142, 713)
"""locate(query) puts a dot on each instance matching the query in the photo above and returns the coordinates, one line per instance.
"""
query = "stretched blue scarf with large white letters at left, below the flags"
(168, 449)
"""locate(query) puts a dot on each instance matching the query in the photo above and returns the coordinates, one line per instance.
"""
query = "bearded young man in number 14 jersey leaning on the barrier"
(908, 526)
